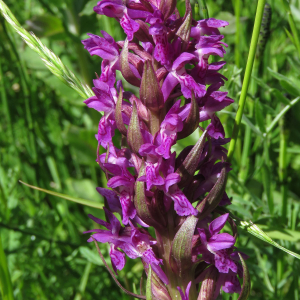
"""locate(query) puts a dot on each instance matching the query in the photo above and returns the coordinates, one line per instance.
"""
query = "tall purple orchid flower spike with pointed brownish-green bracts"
(166, 56)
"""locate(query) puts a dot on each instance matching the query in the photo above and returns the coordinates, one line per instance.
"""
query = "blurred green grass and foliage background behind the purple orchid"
(47, 139)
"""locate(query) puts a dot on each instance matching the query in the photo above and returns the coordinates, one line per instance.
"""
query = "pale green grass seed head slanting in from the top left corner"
(51, 61)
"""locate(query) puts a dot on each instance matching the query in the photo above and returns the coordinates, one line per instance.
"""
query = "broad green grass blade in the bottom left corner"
(5, 280)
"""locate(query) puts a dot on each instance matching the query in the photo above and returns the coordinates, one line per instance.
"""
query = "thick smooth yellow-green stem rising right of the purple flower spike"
(249, 66)
